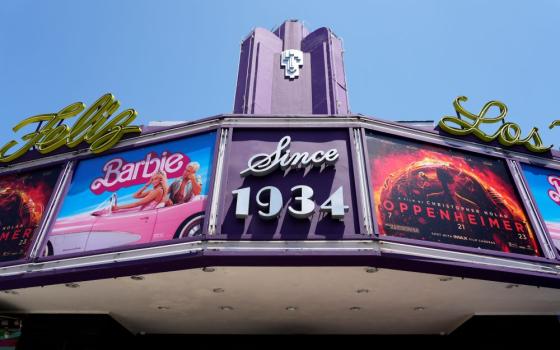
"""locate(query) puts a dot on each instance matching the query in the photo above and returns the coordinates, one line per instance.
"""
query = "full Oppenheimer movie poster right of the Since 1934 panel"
(436, 194)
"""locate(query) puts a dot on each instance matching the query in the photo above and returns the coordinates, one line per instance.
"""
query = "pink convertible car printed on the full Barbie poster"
(105, 228)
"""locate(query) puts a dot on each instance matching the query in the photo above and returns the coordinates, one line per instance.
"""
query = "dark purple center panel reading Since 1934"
(289, 184)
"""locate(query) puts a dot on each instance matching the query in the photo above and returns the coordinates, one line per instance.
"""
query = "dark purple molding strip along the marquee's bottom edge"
(218, 258)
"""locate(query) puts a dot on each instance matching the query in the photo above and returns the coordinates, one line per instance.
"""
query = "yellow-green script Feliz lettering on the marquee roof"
(91, 127)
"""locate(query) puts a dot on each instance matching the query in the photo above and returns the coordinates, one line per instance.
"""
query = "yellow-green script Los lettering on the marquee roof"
(508, 134)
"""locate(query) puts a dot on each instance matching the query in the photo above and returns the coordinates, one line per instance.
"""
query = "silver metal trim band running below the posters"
(369, 247)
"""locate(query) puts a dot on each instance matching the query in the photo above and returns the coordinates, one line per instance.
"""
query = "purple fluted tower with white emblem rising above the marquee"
(291, 71)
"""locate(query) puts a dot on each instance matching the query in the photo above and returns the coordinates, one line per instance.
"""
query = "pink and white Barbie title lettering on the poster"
(118, 173)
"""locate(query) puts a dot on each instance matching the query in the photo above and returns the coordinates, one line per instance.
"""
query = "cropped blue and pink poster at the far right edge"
(545, 187)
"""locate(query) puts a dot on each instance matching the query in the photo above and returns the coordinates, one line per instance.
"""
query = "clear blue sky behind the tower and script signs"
(177, 60)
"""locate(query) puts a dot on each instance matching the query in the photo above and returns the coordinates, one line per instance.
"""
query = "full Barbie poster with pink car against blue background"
(148, 194)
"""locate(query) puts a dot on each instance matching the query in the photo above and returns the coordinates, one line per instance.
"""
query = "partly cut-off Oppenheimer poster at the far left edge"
(23, 200)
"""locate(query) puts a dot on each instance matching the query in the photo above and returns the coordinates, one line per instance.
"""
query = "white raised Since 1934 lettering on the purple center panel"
(269, 198)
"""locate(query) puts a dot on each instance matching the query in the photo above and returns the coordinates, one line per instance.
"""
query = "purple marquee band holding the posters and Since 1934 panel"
(353, 187)
